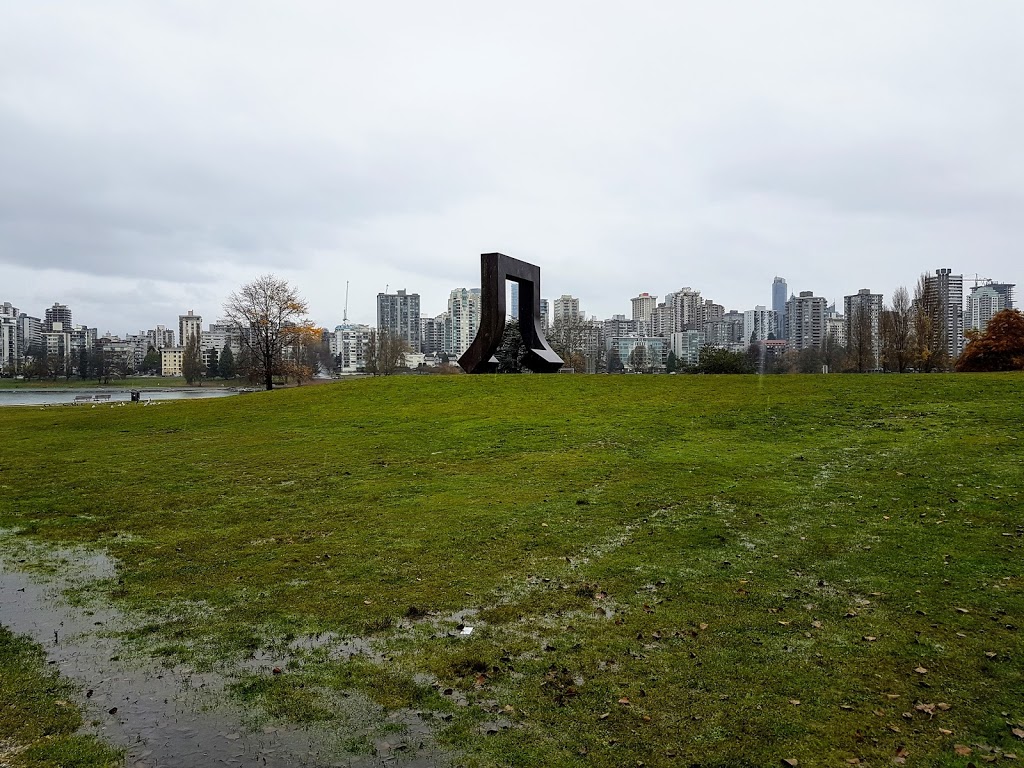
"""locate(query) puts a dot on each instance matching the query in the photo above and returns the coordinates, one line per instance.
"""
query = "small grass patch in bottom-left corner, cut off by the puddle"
(38, 723)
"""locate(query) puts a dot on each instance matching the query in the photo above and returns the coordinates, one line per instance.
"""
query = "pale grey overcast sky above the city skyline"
(155, 156)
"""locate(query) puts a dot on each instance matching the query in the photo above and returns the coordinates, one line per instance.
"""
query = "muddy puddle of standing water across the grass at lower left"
(166, 717)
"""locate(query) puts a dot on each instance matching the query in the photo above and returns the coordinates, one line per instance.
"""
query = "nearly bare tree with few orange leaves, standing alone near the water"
(270, 316)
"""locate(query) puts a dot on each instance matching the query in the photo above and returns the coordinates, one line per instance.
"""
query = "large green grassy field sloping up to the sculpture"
(667, 571)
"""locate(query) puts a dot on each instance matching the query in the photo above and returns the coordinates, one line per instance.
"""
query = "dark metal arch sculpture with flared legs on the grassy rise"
(495, 270)
